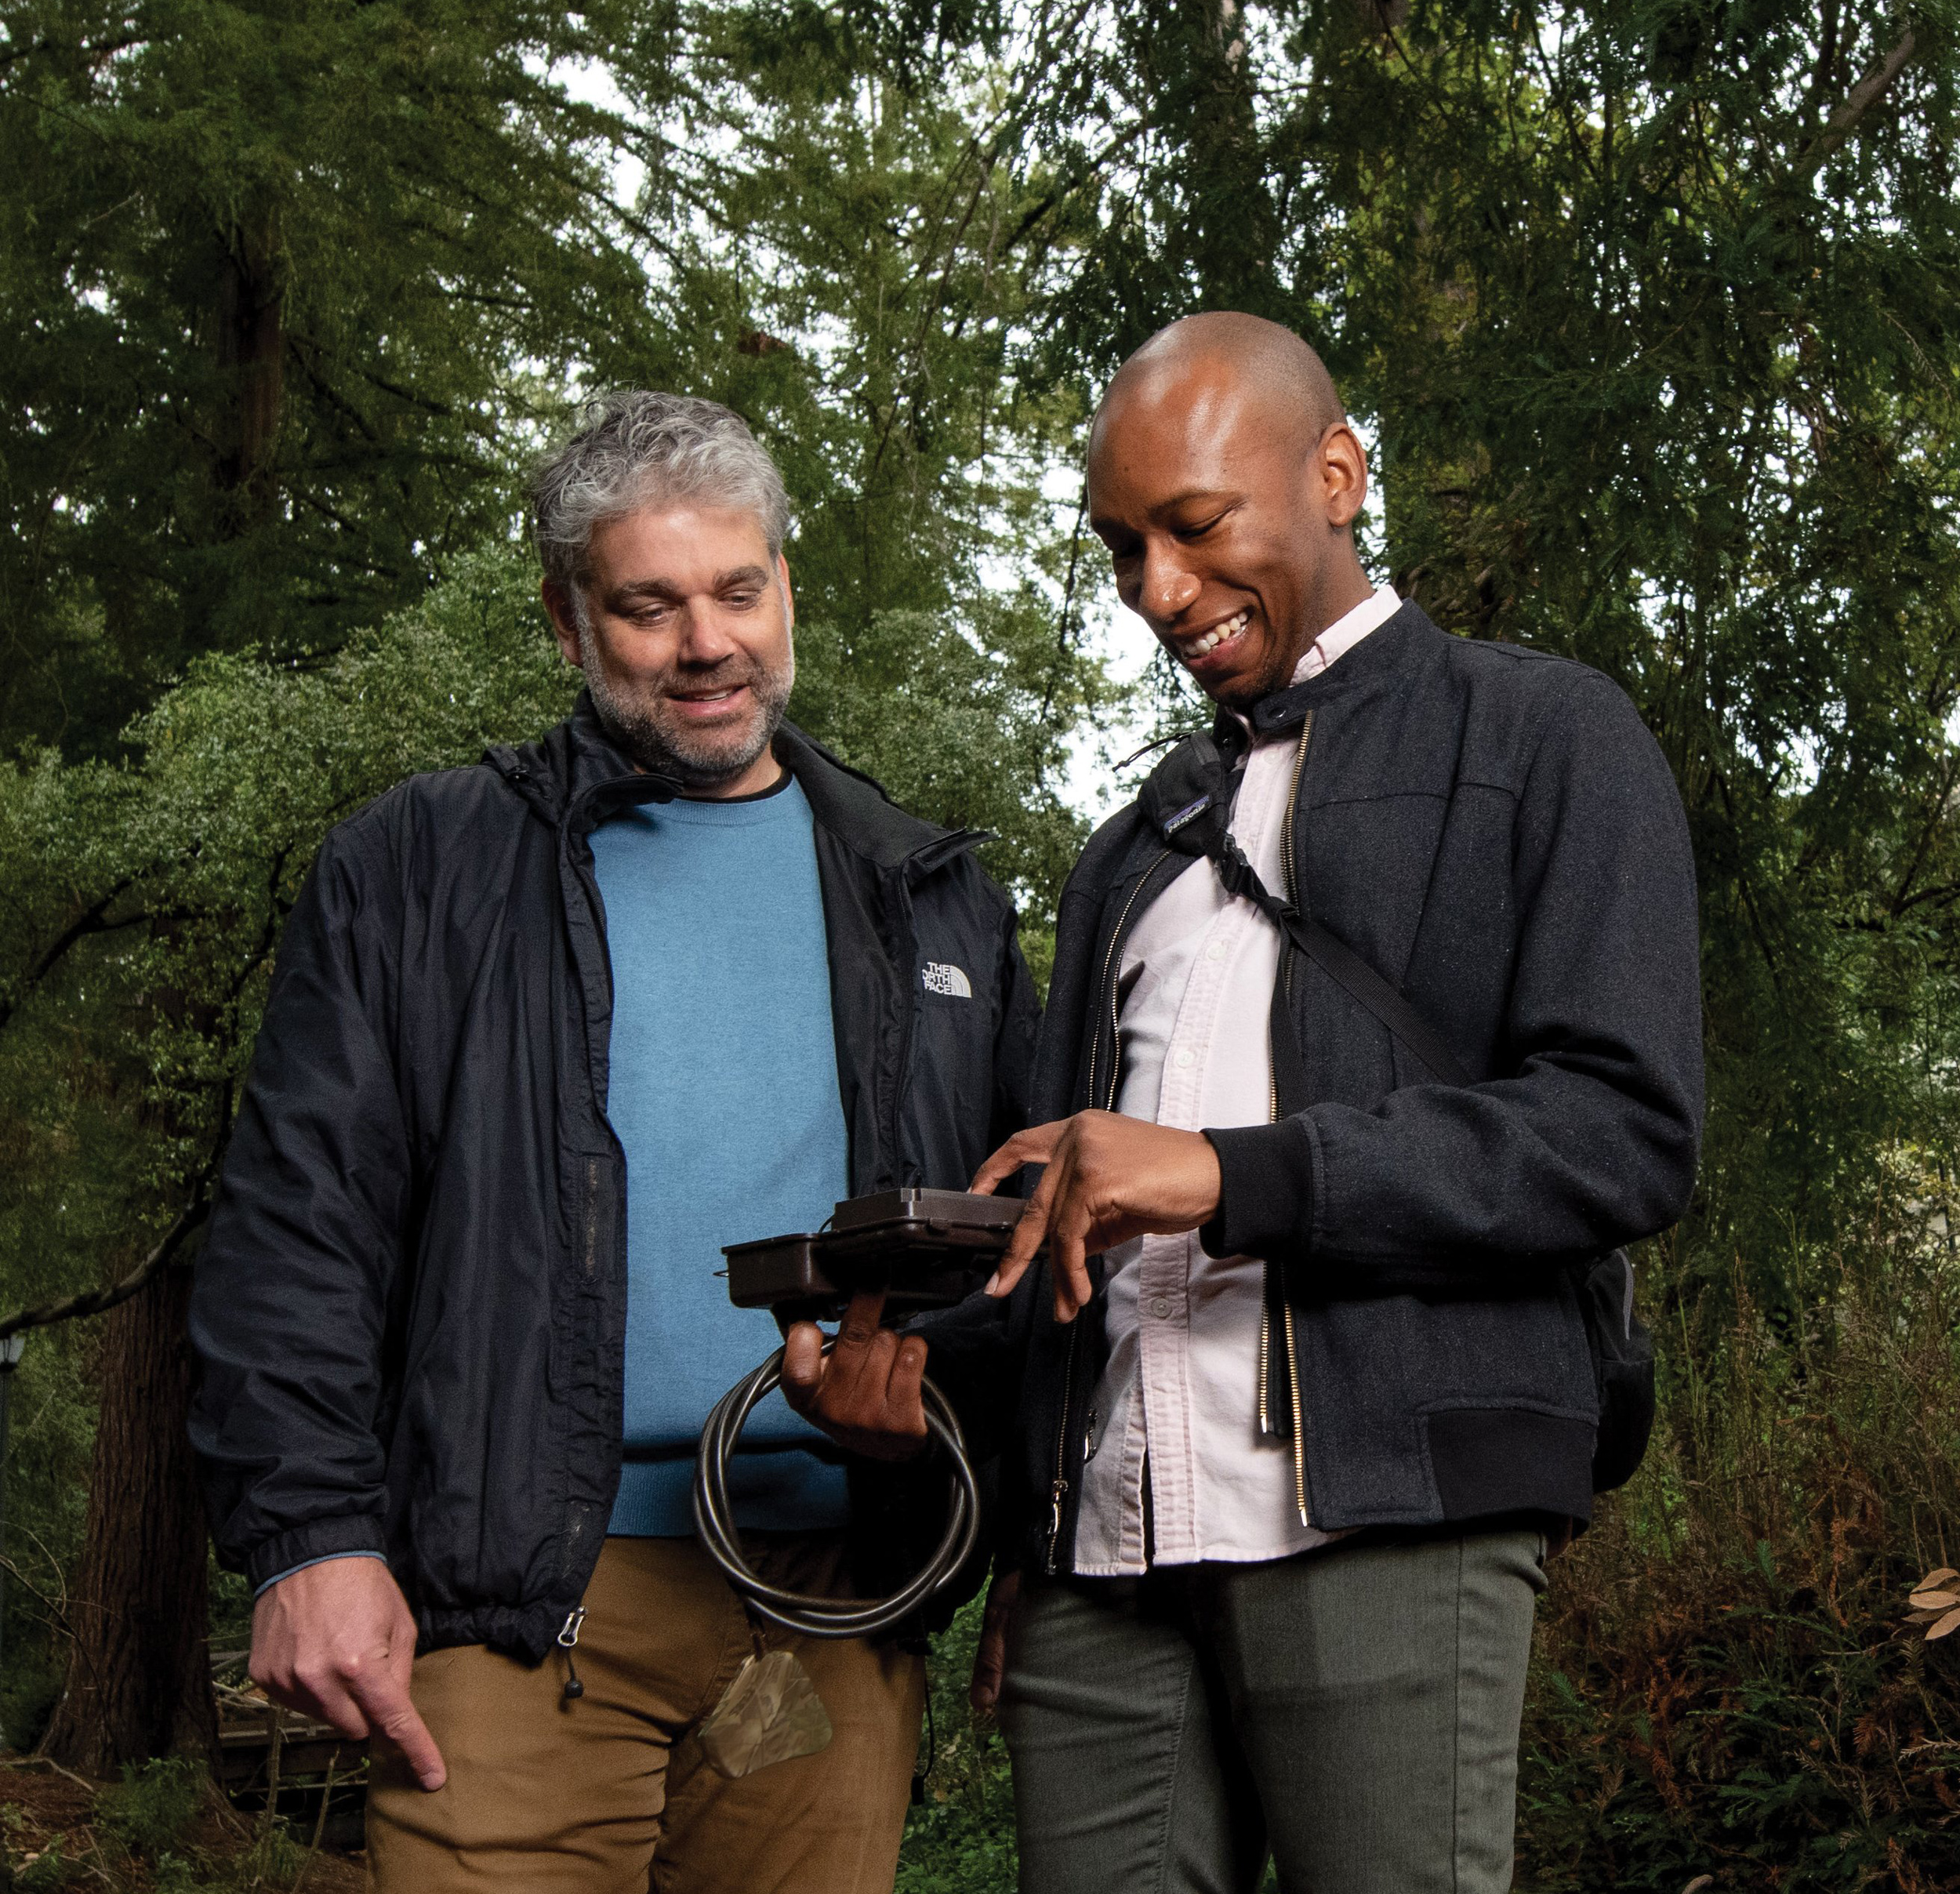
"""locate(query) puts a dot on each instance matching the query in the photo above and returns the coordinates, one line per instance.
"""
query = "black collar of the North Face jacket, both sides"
(577, 770)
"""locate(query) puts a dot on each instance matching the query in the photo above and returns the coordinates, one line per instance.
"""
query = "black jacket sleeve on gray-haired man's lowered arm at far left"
(307, 1240)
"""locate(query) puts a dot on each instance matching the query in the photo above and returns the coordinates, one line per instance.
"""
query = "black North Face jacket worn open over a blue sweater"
(411, 1309)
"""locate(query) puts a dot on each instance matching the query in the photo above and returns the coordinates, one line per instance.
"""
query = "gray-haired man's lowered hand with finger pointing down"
(338, 1642)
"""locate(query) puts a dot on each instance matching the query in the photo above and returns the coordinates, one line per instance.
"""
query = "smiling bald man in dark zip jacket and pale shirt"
(1304, 1379)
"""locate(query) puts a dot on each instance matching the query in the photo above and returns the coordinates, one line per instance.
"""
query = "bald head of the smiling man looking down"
(1226, 479)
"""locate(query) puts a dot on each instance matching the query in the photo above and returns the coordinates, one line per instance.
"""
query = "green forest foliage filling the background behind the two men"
(1647, 309)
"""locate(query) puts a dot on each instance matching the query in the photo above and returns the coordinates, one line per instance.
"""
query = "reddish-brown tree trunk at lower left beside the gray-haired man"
(140, 1681)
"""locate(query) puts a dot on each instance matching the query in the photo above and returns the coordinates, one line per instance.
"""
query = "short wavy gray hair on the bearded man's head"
(636, 448)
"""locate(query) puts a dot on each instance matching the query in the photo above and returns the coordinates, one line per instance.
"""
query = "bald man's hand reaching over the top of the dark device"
(1108, 1179)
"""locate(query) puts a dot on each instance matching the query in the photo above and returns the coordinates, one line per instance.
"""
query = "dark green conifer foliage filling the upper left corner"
(269, 274)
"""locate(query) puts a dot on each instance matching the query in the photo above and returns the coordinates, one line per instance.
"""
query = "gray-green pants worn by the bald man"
(1355, 1713)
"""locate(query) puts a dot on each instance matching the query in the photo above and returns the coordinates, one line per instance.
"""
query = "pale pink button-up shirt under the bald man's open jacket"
(1181, 1393)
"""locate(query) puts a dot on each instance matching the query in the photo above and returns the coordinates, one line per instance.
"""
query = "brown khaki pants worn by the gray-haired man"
(611, 1793)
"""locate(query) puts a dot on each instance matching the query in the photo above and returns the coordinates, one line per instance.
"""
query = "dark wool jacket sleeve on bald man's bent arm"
(1589, 1134)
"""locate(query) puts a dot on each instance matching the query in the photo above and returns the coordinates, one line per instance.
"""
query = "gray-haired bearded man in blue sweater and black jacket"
(546, 1036)
